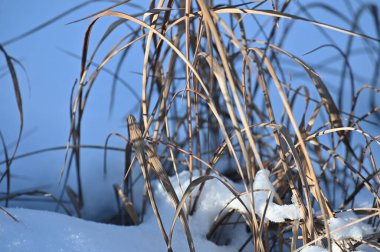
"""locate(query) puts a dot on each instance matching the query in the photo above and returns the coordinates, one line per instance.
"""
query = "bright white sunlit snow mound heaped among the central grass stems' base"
(215, 196)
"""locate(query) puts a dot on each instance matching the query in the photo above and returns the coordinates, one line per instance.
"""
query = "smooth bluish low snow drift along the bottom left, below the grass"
(47, 231)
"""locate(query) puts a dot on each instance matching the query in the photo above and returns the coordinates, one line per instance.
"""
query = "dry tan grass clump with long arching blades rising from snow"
(209, 77)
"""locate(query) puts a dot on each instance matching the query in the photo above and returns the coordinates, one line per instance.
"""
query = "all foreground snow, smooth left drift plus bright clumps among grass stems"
(49, 231)
